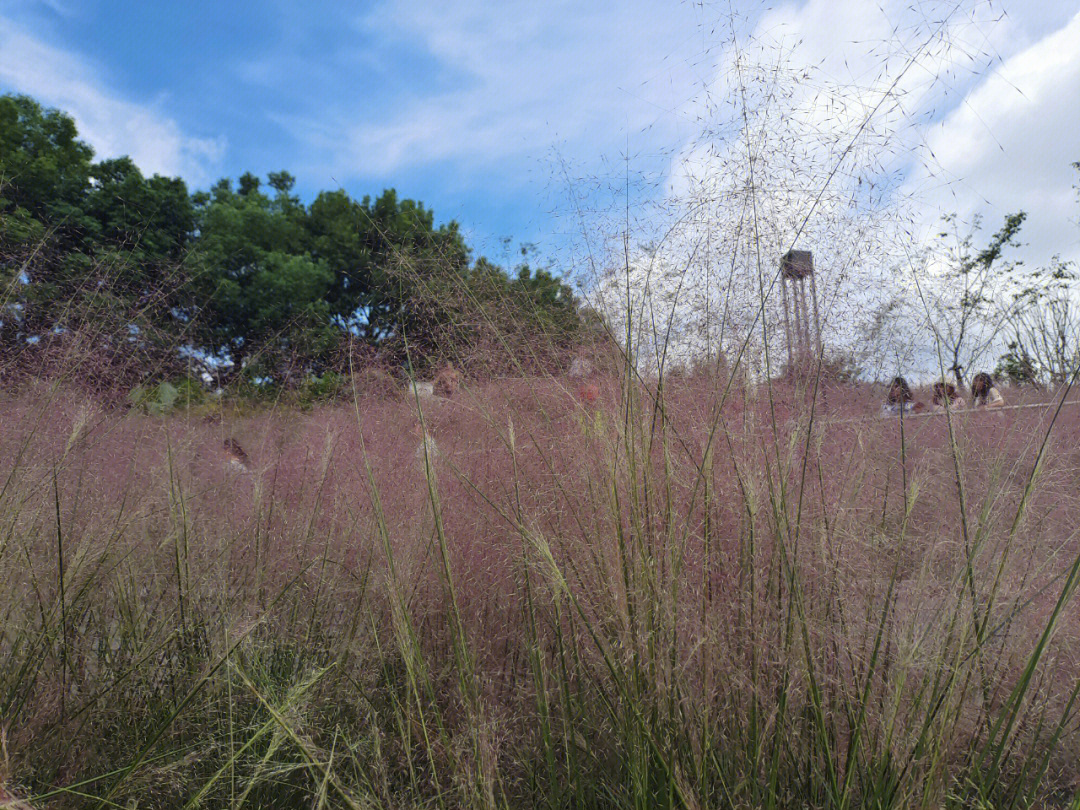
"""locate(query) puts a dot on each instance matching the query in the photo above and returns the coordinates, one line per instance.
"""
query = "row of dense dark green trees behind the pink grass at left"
(246, 275)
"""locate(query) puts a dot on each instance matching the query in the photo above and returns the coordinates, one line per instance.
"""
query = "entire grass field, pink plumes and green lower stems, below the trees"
(727, 597)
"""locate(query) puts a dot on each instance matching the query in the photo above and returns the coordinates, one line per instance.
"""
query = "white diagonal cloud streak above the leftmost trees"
(113, 126)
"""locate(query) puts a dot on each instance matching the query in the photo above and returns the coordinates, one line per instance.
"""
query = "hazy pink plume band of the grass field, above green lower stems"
(563, 552)
